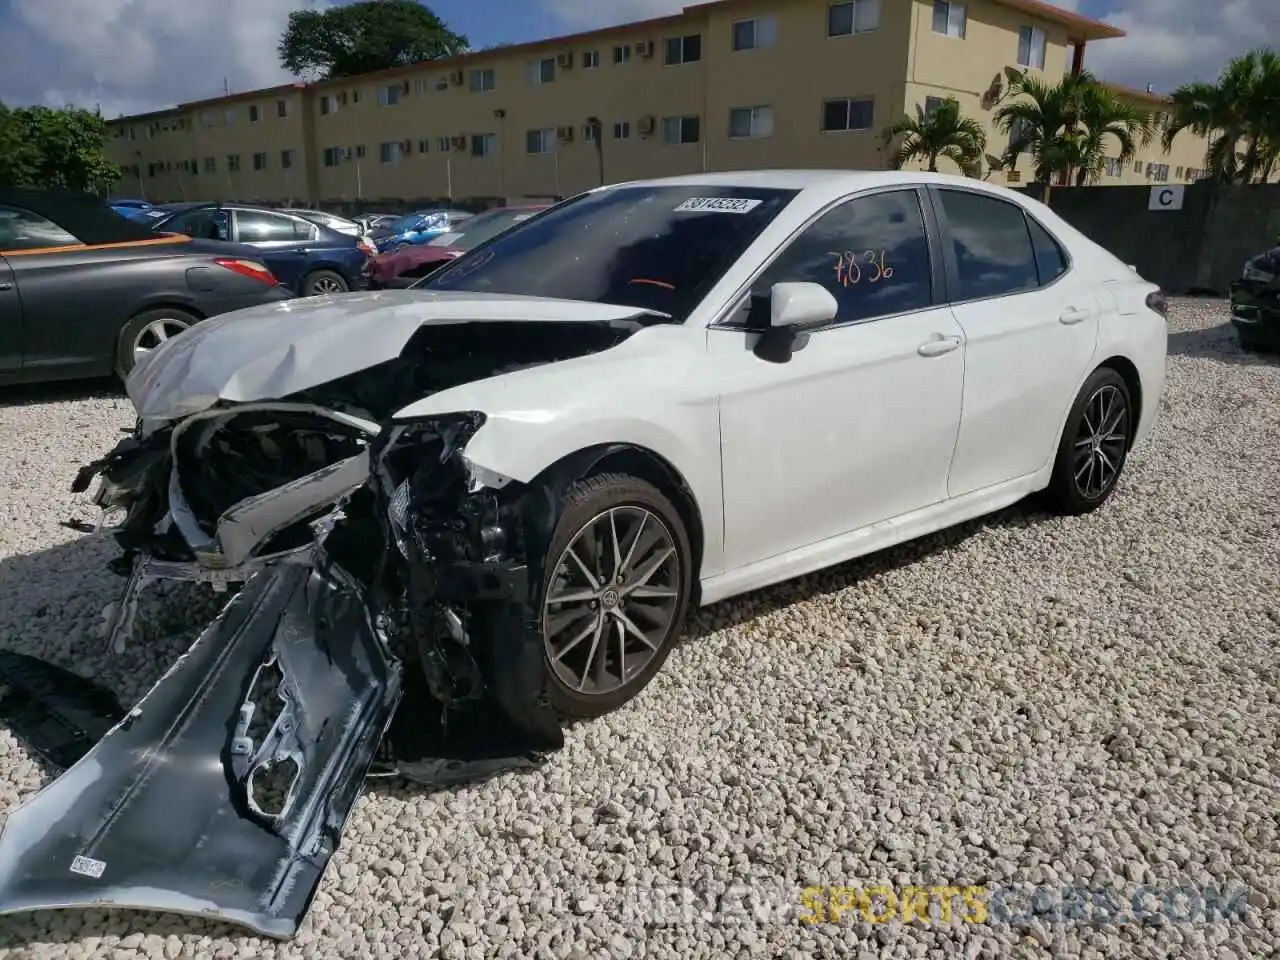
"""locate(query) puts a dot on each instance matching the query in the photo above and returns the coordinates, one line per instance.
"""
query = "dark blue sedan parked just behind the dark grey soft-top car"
(307, 258)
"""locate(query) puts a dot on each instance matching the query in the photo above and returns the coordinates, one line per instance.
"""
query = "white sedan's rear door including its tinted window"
(1031, 327)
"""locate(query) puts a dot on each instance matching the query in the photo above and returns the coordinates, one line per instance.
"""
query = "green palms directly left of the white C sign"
(1067, 127)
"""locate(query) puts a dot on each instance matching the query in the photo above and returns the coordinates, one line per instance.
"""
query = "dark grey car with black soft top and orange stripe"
(85, 292)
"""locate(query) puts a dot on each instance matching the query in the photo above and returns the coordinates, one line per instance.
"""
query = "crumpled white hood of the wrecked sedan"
(278, 350)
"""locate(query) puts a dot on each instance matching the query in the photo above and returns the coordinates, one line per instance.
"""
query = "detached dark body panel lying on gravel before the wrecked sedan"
(171, 812)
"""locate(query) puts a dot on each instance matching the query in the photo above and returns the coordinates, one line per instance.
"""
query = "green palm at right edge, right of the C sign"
(1240, 115)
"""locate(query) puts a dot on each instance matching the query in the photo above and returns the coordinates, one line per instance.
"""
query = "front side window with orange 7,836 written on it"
(871, 253)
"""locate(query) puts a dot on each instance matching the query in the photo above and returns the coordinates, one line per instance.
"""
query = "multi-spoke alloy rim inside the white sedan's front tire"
(612, 601)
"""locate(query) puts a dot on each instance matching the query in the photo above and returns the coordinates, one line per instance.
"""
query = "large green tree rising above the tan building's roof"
(363, 38)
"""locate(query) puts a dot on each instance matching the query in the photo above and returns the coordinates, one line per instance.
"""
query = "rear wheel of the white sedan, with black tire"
(1078, 452)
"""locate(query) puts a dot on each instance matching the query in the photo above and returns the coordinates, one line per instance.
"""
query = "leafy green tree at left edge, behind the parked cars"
(56, 149)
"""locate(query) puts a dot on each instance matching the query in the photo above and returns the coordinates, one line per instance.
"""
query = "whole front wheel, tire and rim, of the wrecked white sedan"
(636, 508)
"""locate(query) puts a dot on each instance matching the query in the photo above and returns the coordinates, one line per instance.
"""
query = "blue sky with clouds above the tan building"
(138, 56)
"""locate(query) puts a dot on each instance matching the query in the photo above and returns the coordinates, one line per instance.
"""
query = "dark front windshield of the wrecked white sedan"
(657, 249)
